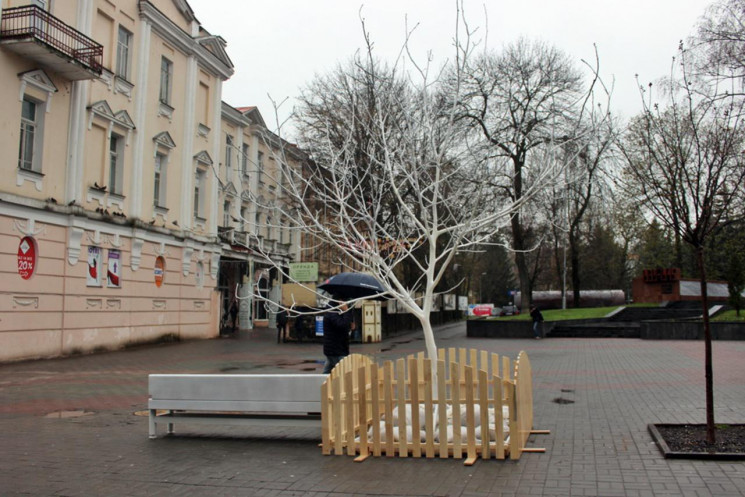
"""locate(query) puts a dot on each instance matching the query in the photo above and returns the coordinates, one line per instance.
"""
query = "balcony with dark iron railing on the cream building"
(34, 33)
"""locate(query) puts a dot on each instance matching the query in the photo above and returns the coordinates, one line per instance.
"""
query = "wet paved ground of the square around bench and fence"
(68, 427)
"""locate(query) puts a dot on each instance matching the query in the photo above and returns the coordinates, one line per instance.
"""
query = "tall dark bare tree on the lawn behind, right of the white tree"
(527, 97)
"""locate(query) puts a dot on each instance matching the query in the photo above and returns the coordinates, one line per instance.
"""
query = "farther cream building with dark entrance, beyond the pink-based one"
(257, 240)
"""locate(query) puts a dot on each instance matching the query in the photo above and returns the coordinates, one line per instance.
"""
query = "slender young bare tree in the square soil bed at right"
(684, 162)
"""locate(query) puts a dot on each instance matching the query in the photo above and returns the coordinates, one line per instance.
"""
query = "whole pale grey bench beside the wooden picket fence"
(271, 399)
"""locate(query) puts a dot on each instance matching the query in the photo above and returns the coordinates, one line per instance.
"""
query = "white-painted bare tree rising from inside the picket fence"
(394, 184)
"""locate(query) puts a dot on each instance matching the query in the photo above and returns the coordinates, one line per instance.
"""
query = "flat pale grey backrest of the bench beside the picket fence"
(261, 393)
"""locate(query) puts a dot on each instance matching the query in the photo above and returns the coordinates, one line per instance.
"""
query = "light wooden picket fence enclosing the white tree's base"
(481, 405)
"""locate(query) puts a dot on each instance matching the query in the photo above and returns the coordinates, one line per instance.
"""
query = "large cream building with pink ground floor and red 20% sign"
(112, 144)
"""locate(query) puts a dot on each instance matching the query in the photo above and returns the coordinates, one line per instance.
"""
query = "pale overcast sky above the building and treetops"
(278, 46)
